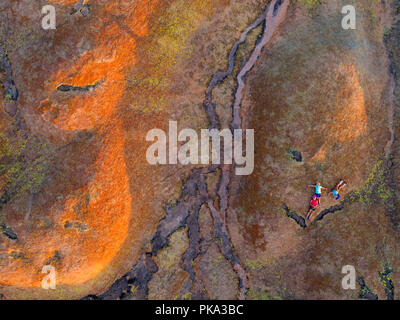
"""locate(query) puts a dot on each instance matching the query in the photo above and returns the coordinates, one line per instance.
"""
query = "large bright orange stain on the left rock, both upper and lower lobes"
(98, 234)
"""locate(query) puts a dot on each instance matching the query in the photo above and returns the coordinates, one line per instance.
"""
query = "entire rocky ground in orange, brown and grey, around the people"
(76, 189)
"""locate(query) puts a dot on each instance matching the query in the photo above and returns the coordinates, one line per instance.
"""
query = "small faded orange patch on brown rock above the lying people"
(350, 119)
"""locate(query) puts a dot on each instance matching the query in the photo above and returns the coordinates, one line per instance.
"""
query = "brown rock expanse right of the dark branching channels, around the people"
(326, 92)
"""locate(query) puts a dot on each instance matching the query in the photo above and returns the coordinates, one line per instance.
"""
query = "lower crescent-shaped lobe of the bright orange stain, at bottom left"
(84, 253)
